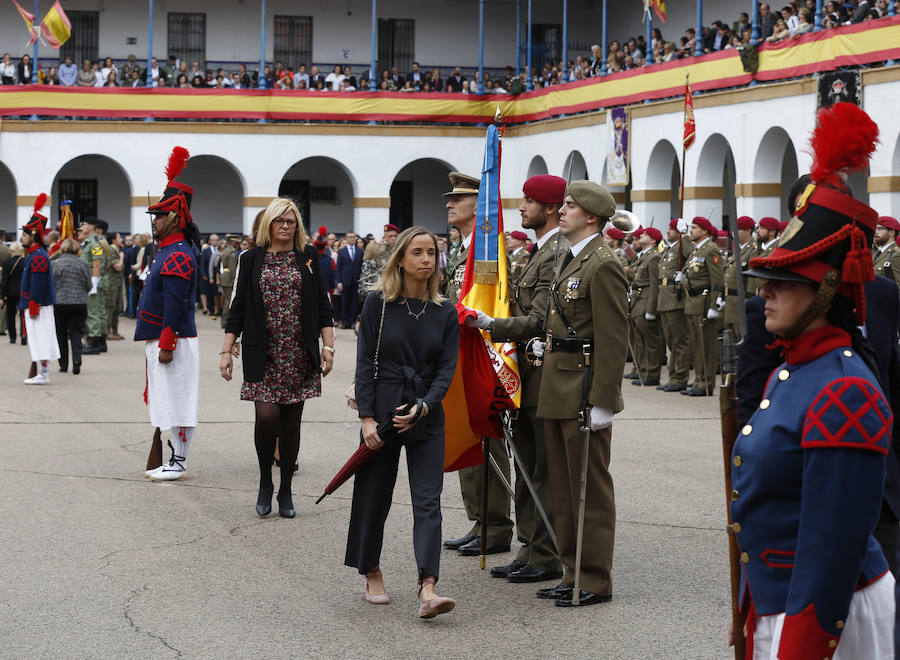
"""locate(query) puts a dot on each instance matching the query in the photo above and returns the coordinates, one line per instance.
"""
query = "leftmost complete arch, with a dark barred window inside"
(98, 187)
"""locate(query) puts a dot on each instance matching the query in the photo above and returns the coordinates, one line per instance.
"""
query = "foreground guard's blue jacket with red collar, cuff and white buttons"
(808, 473)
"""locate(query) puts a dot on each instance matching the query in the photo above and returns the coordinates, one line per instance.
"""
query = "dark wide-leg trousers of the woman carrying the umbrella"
(373, 489)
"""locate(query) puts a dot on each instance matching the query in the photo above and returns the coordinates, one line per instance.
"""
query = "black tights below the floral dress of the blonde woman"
(281, 421)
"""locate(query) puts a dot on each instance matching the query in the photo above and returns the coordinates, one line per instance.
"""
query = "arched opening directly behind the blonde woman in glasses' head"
(323, 190)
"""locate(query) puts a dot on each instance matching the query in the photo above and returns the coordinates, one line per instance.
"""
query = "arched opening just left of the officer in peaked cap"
(416, 195)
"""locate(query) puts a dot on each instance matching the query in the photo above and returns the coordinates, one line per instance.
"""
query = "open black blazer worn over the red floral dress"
(247, 316)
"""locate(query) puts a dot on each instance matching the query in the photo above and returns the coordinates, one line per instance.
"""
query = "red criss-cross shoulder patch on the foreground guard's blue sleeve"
(849, 412)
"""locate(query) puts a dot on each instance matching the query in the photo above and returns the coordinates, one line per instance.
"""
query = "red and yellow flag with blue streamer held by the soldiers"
(487, 380)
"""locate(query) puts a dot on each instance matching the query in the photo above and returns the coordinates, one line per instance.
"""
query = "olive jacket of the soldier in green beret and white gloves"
(591, 291)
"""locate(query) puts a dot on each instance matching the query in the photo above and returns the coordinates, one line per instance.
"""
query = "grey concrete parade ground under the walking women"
(96, 561)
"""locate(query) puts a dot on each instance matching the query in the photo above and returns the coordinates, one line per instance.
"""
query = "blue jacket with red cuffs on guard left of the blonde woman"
(166, 307)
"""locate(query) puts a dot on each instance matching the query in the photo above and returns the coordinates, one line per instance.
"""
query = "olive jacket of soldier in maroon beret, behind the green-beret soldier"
(528, 311)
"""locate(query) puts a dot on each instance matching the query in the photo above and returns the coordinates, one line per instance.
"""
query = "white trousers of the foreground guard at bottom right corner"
(868, 633)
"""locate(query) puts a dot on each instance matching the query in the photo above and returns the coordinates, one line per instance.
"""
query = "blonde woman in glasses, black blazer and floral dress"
(280, 310)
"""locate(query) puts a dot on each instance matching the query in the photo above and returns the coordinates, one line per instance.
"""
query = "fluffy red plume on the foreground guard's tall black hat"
(842, 142)
